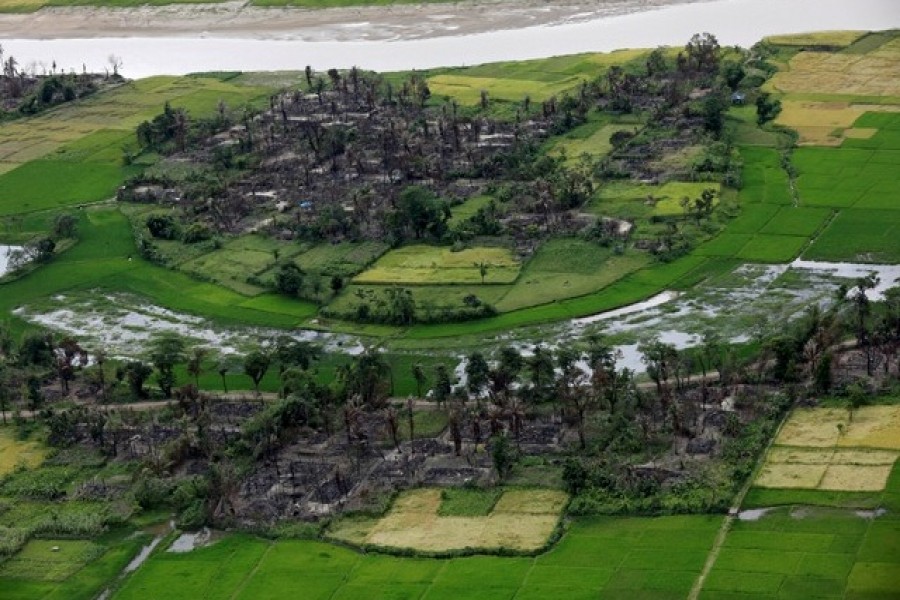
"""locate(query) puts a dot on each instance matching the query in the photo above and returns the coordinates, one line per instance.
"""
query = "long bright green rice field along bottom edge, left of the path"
(604, 557)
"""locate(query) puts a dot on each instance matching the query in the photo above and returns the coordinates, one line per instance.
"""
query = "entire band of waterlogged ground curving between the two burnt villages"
(739, 306)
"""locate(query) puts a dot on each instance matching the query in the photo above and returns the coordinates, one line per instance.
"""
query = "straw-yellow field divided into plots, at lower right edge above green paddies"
(828, 449)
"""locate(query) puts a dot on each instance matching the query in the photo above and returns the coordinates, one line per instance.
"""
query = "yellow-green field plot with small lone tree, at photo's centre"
(431, 264)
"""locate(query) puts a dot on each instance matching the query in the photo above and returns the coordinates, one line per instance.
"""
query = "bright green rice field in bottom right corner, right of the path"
(803, 551)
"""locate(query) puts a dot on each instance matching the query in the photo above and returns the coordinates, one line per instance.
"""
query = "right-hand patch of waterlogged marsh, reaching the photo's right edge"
(745, 304)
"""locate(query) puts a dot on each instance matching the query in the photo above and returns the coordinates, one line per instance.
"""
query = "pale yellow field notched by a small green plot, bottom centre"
(521, 520)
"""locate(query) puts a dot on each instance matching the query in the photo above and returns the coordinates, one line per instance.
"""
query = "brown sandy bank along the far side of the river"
(239, 20)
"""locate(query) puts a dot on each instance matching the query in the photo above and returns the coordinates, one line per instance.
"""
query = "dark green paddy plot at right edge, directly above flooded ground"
(859, 235)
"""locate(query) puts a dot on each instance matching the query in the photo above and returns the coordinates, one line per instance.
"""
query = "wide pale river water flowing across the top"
(740, 22)
